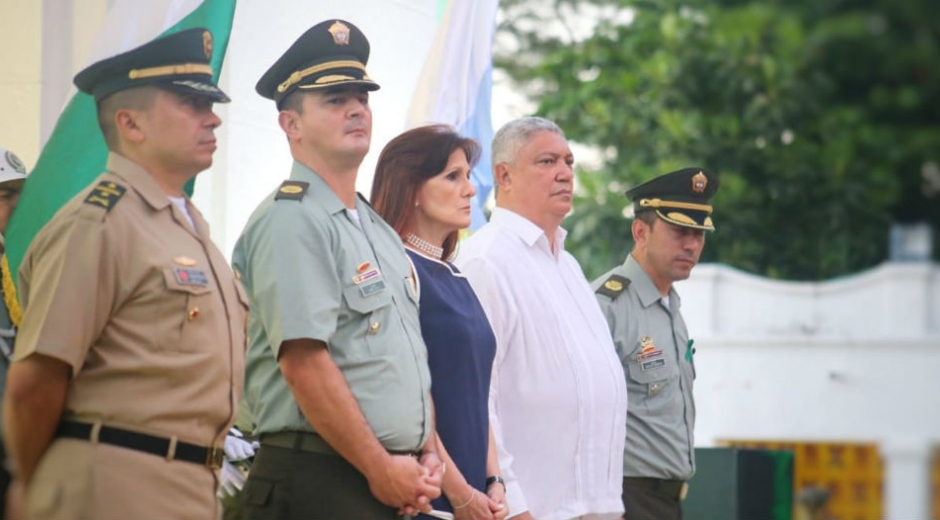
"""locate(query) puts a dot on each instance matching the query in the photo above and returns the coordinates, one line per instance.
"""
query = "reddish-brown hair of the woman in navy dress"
(406, 163)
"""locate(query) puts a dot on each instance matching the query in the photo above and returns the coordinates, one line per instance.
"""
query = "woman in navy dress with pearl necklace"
(422, 188)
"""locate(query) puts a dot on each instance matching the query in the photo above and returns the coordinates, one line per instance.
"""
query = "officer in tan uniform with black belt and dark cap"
(128, 365)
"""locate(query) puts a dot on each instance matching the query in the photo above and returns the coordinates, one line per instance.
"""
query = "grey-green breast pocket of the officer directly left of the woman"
(371, 319)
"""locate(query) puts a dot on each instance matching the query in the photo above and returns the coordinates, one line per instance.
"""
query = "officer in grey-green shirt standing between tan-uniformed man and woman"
(337, 373)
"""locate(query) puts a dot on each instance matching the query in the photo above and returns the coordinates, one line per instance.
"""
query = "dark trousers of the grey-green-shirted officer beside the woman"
(288, 483)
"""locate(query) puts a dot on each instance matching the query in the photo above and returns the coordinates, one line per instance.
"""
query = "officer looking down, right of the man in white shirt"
(642, 309)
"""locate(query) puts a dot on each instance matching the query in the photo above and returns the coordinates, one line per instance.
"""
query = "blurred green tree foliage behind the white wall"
(822, 118)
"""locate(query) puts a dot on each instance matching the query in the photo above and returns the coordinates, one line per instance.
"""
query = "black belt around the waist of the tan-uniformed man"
(211, 457)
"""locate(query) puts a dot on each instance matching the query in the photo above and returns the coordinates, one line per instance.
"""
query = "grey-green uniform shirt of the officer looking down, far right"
(654, 348)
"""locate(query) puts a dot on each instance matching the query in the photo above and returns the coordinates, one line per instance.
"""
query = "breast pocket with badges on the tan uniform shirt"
(189, 312)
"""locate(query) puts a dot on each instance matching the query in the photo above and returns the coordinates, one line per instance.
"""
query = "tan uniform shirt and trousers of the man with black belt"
(151, 319)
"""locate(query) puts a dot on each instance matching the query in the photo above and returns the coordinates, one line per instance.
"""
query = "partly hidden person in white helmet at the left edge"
(12, 177)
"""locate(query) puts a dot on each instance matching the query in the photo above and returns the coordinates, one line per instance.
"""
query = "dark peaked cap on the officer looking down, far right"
(680, 197)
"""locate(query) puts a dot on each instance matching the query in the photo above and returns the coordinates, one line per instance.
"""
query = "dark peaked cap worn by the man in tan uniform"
(178, 62)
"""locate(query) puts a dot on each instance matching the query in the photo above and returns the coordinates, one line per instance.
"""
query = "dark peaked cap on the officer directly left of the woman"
(330, 53)
